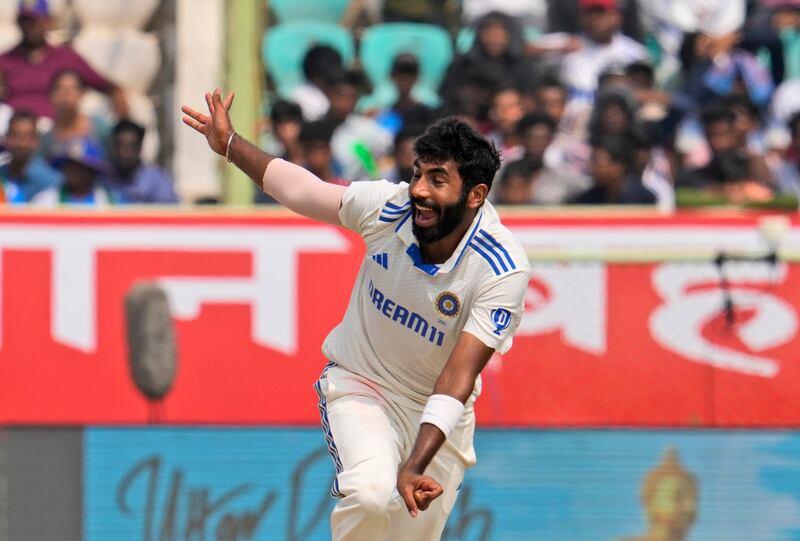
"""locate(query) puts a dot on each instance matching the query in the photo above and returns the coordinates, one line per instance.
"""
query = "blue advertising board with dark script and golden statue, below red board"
(181, 484)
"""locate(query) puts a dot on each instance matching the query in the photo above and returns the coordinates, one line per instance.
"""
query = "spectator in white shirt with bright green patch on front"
(358, 142)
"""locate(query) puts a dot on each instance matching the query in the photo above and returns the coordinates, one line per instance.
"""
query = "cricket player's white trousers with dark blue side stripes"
(370, 432)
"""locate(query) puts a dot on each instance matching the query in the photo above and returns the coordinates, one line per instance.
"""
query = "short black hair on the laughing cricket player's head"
(451, 139)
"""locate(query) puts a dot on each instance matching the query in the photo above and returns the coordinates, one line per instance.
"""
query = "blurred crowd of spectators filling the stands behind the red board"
(649, 102)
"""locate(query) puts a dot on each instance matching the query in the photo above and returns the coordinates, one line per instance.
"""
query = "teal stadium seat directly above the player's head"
(383, 42)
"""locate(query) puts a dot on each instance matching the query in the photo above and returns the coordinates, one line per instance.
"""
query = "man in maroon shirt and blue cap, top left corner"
(29, 68)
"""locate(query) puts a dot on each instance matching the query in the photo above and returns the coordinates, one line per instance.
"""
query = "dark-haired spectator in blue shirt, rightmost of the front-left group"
(133, 180)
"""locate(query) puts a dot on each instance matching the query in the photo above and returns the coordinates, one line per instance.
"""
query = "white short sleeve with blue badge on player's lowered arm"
(498, 309)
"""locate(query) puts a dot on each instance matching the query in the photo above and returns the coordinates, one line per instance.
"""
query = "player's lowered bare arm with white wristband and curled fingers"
(453, 388)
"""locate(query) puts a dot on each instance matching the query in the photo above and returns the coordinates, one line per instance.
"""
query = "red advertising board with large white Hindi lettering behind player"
(628, 320)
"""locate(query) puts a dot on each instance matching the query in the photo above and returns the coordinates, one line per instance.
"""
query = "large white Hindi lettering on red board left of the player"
(271, 290)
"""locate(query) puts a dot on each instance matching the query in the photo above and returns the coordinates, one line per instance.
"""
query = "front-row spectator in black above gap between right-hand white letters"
(613, 175)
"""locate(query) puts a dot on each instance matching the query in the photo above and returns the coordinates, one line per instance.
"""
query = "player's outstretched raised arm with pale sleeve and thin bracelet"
(290, 185)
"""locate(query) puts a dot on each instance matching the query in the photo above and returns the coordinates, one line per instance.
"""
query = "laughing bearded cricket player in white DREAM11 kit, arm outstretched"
(439, 291)
